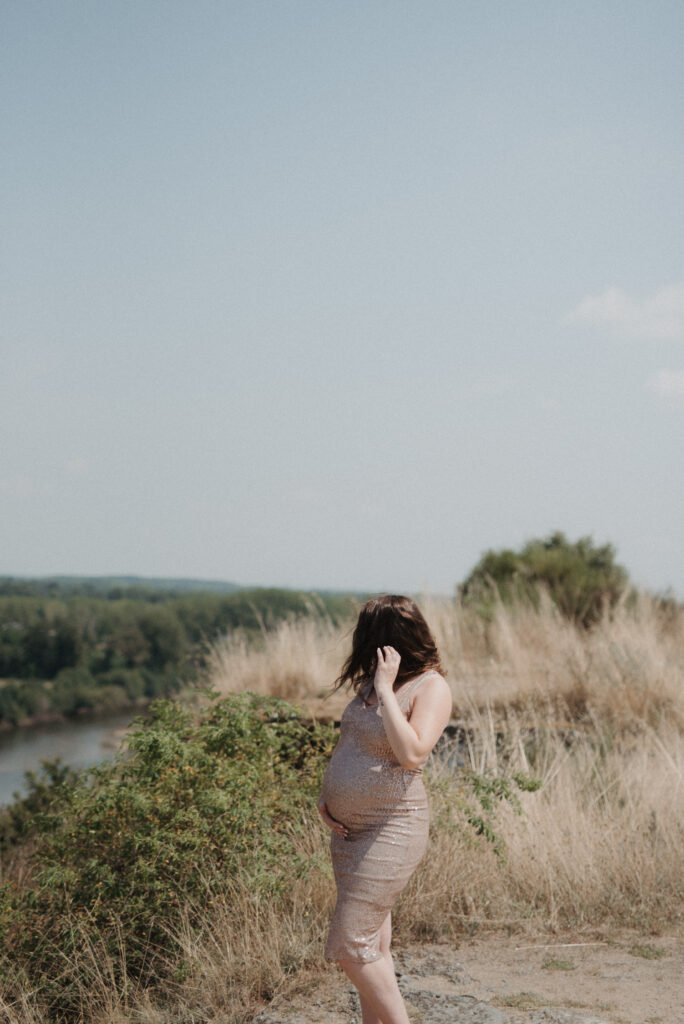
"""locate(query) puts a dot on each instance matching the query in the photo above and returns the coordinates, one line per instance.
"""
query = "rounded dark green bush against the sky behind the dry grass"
(581, 579)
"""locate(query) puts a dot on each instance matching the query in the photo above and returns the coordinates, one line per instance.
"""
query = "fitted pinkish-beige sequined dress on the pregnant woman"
(386, 809)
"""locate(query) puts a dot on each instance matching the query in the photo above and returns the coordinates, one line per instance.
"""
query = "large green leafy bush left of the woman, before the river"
(130, 845)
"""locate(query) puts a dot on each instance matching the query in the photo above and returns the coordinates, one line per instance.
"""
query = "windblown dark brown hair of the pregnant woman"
(391, 621)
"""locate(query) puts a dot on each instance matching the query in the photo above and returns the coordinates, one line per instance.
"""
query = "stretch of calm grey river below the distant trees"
(80, 743)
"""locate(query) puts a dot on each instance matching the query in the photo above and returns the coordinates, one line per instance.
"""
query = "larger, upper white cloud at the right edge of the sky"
(659, 318)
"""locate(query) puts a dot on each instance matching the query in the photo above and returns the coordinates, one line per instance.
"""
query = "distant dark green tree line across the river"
(71, 652)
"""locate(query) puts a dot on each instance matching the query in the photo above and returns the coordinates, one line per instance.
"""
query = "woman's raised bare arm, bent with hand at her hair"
(413, 741)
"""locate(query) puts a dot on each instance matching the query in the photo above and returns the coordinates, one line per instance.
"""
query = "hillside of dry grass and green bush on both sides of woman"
(190, 879)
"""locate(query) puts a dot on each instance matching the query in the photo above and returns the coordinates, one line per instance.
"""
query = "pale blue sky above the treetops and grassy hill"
(339, 295)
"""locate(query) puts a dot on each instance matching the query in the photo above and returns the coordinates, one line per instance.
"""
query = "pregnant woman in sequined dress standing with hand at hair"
(373, 799)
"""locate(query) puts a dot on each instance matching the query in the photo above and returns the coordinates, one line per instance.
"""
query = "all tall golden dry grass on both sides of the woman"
(598, 716)
